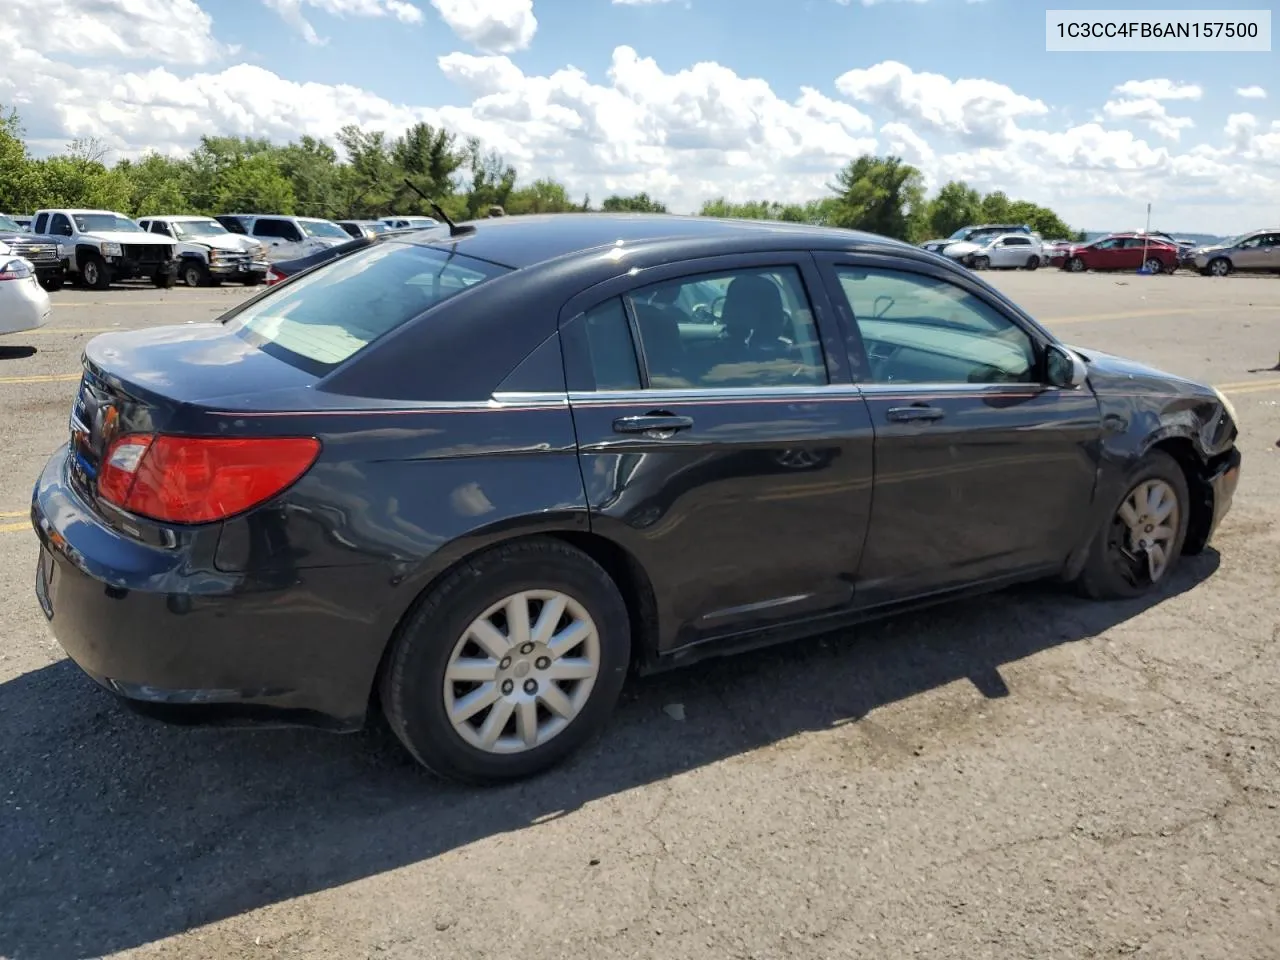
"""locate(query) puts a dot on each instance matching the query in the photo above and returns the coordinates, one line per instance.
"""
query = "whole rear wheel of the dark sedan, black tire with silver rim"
(417, 696)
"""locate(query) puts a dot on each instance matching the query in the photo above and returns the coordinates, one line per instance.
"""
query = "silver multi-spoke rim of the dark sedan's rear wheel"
(522, 673)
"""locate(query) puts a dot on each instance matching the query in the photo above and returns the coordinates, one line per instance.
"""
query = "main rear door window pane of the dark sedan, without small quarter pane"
(740, 328)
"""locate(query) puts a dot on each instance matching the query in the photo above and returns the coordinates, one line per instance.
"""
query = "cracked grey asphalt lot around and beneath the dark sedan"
(1027, 775)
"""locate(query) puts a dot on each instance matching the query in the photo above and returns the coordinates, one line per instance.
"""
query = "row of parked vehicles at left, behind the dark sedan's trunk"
(100, 248)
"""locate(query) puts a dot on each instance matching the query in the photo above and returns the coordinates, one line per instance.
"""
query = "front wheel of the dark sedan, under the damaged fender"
(1142, 540)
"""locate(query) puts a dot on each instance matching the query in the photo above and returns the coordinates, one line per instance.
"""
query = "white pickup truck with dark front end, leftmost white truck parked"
(102, 246)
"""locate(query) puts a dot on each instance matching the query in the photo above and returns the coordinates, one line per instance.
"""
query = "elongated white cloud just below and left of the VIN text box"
(977, 112)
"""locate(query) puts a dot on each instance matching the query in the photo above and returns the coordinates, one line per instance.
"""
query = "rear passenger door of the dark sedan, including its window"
(723, 441)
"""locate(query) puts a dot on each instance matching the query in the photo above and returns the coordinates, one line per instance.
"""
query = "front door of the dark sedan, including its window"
(982, 470)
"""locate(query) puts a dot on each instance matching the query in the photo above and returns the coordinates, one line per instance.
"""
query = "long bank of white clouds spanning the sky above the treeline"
(683, 135)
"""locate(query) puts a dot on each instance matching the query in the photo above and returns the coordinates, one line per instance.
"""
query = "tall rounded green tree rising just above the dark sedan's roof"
(880, 195)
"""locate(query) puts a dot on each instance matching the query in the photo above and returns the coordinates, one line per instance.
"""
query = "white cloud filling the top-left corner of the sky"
(170, 31)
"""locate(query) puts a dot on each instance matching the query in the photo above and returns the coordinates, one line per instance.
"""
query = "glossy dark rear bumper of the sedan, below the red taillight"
(159, 628)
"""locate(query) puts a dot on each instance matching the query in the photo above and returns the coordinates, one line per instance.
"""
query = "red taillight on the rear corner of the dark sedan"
(198, 481)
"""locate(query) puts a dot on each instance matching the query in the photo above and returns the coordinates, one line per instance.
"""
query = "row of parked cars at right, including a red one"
(1011, 246)
